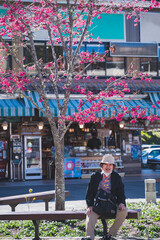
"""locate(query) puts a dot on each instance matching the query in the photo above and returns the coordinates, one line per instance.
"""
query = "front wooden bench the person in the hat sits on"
(56, 216)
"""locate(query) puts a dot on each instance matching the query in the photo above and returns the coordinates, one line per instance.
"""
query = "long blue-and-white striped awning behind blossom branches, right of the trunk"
(112, 107)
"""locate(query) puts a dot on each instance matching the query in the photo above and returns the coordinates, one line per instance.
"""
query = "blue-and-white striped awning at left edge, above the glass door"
(14, 108)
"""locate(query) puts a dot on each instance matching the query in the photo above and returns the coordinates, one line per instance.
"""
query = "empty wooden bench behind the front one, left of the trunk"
(13, 201)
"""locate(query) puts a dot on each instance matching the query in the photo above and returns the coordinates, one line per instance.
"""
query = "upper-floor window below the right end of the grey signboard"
(149, 66)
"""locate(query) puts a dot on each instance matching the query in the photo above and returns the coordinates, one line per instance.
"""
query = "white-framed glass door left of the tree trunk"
(33, 157)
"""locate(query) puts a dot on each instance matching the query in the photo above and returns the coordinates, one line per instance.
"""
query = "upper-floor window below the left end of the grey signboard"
(115, 66)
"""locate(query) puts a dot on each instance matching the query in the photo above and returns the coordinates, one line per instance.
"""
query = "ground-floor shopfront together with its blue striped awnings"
(27, 148)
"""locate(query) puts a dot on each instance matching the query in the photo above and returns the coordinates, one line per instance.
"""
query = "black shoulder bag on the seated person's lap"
(105, 204)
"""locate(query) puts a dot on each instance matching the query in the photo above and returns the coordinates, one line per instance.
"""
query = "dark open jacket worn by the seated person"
(117, 188)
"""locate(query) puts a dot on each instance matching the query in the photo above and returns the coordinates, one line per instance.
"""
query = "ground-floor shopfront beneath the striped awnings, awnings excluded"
(28, 153)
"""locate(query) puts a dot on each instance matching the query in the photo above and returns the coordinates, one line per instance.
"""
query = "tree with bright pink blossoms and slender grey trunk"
(68, 24)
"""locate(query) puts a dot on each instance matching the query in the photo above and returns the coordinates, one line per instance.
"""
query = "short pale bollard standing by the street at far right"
(150, 190)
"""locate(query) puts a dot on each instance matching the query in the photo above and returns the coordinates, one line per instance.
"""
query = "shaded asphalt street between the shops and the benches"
(134, 186)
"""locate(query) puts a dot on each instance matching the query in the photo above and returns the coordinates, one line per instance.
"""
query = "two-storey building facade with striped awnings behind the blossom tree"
(27, 148)
